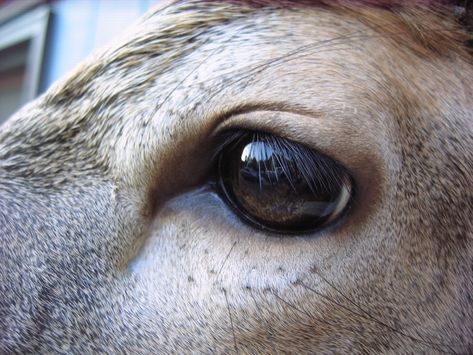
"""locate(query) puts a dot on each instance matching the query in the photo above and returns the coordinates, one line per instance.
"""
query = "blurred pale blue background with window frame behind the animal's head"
(41, 40)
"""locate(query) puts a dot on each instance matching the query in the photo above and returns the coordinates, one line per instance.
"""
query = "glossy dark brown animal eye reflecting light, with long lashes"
(275, 184)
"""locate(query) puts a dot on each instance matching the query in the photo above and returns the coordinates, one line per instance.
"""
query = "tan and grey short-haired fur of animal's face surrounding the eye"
(114, 240)
